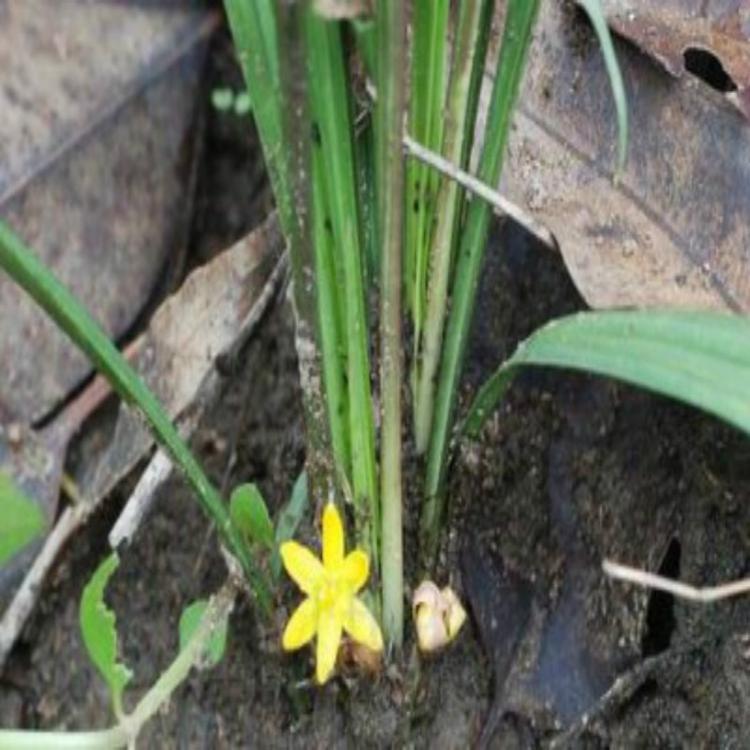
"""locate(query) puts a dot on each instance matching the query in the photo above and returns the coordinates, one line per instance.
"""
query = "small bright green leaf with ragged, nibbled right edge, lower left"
(99, 631)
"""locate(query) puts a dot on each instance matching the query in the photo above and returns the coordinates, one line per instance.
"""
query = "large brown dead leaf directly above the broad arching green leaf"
(674, 231)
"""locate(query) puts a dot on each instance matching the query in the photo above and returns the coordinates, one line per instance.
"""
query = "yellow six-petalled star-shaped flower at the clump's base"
(331, 606)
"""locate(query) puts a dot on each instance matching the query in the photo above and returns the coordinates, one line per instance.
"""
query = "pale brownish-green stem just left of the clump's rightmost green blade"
(472, 22)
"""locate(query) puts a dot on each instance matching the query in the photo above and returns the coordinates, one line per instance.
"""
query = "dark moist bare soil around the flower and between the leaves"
(570, 470)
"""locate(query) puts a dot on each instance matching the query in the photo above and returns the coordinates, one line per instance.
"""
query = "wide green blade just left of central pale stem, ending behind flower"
(331, 111)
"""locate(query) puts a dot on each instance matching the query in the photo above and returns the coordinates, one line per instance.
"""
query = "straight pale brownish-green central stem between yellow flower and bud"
(391, 30)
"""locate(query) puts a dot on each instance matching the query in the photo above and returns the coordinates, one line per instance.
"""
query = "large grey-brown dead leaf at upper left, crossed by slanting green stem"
(96, 170)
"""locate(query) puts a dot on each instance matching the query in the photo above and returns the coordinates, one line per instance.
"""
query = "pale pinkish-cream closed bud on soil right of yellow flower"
(438, 616)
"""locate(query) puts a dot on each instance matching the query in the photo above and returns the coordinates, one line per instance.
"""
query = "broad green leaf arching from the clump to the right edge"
(702, 359)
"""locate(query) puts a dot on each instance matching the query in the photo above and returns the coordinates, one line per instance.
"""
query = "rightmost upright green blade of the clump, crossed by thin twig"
(520, 17)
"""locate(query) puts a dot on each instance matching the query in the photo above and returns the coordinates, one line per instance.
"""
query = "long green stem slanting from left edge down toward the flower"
(72, 318)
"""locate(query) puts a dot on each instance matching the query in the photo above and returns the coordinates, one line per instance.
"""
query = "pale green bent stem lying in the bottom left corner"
(127, 730)
